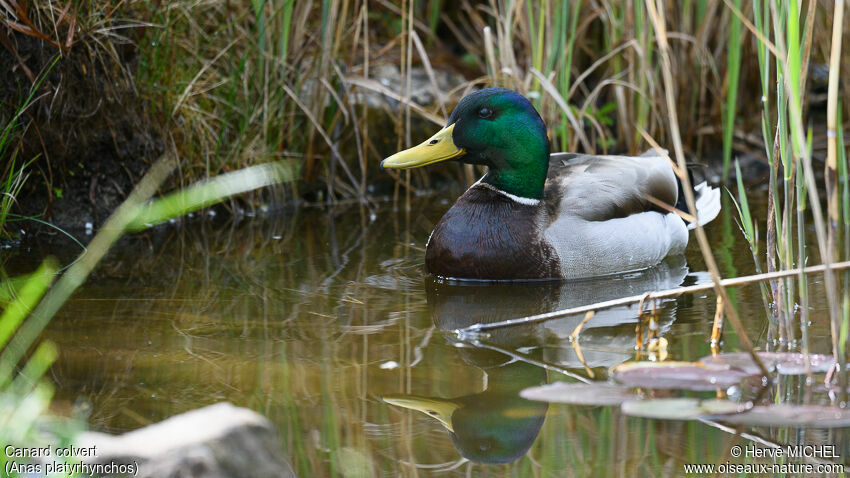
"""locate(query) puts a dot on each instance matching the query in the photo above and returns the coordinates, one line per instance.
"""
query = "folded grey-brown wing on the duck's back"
(598, 188)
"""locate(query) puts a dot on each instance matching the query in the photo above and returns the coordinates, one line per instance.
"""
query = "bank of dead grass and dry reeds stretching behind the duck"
(328, 85)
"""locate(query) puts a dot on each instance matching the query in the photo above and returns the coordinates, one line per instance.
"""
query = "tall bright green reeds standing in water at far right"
(783, 44)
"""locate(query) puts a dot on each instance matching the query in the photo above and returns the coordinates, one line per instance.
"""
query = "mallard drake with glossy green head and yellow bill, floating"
(536, 215)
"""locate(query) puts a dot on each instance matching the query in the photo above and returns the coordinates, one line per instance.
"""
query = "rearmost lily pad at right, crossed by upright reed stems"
(784, 363)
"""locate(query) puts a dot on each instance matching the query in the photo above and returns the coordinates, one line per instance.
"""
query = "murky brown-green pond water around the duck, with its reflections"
(325, 322)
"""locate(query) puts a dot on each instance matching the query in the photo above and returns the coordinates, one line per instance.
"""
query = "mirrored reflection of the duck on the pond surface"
(496, 425)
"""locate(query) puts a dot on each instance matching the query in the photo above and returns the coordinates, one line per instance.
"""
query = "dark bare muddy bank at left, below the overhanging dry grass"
(88, 130)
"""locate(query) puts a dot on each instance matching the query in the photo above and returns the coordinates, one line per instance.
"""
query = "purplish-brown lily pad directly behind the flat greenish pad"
(677, 375)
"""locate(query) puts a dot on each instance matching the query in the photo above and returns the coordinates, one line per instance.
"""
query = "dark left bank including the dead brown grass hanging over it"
(86, 136)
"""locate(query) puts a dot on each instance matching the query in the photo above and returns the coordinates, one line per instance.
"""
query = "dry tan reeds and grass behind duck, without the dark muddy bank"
(245, 83)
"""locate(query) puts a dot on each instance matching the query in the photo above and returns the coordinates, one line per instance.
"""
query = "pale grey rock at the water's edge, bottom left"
(218, 441)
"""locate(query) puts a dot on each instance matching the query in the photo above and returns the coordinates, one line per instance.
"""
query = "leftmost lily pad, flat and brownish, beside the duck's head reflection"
(594, 393)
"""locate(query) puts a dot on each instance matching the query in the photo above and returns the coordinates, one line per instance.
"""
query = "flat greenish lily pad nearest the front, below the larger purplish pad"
(682, 408)
